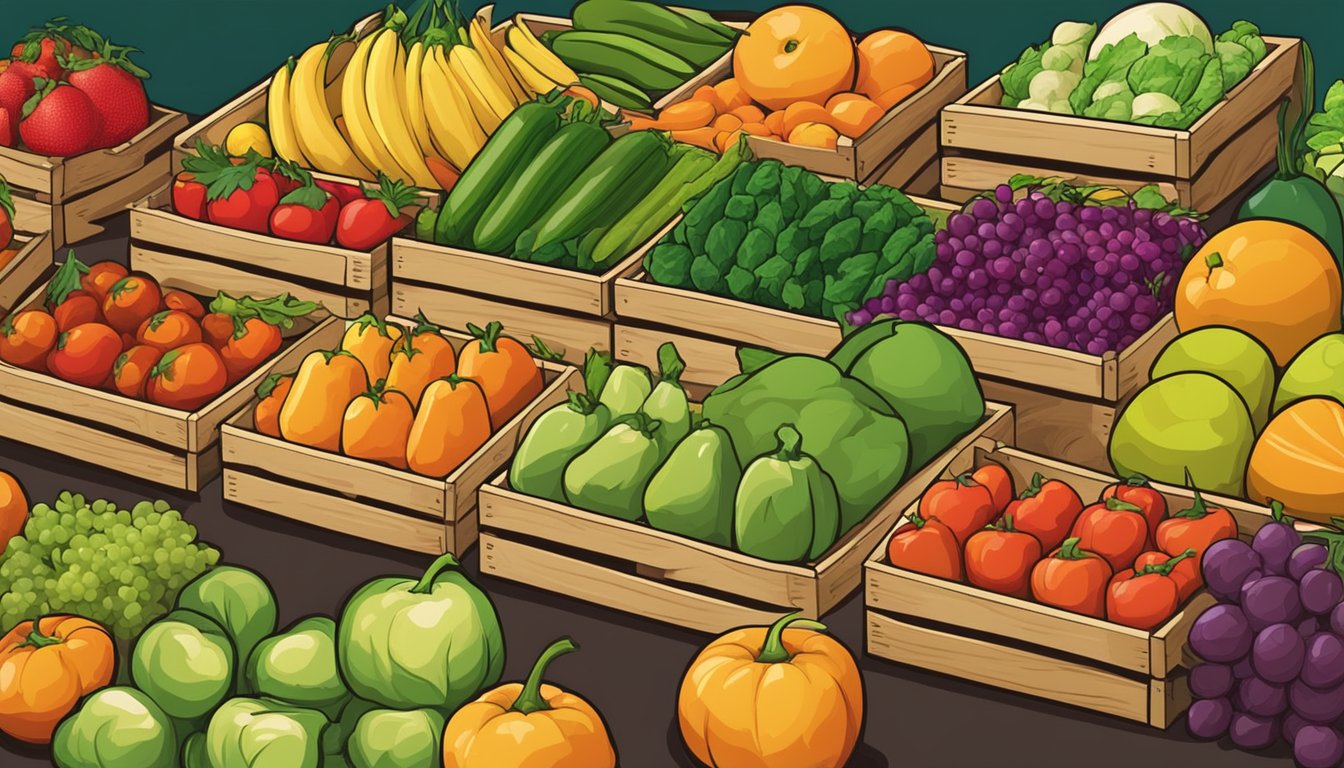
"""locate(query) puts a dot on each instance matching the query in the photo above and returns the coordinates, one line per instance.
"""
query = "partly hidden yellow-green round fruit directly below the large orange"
(1230, 356)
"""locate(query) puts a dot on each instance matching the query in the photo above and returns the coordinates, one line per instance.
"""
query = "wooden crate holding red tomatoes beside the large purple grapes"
(1022, 646)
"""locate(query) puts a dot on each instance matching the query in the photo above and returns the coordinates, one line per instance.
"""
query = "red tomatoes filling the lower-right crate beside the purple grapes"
(1123, 559)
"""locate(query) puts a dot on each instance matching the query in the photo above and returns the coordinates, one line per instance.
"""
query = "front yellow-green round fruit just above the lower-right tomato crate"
(1186, 422)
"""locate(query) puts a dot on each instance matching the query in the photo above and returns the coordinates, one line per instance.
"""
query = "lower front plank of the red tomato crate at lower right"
(1011, 669)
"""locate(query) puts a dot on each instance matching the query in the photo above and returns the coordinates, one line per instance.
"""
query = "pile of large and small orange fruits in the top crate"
(799, 77)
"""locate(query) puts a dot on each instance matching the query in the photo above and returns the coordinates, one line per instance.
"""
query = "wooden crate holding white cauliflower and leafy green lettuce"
(984, 143)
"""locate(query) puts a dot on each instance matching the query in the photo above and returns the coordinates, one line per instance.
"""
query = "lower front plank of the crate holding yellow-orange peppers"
(335, 513)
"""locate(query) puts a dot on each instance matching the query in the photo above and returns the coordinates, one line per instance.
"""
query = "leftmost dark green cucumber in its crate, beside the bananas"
(517, 141)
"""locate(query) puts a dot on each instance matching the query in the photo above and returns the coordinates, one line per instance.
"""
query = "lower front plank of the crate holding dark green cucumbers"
(568, 334)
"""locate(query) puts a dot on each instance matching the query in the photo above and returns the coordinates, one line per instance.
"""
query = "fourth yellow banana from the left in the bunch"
(385, 85)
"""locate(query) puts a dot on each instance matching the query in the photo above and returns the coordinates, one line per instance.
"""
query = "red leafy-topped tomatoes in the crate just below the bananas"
(256, 194)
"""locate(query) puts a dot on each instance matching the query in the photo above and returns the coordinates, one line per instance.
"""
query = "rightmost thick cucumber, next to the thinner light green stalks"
(620, 177)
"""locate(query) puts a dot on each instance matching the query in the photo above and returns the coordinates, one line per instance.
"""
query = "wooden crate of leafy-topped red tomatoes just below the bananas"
(209, 259)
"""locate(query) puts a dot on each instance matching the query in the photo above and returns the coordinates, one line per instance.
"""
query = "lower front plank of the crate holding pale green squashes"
(536, 567)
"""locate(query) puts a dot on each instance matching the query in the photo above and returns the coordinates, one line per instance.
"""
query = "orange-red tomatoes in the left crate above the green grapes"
(101, 328)
